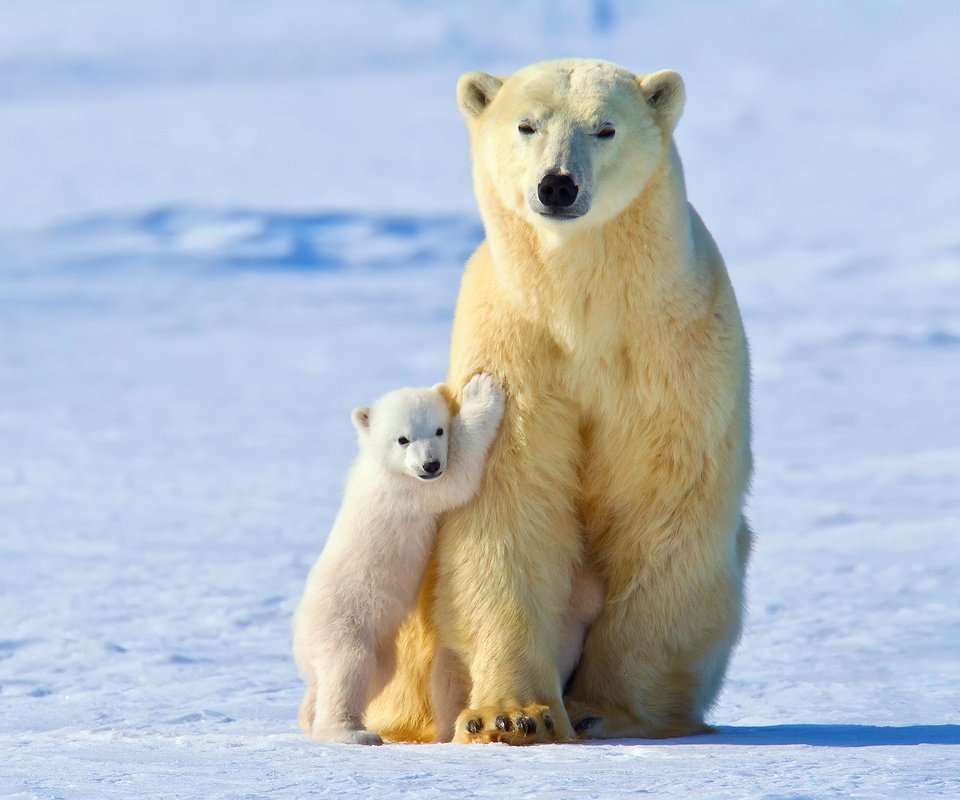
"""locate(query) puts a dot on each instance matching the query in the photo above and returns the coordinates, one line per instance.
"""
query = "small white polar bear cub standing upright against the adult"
(417, 459)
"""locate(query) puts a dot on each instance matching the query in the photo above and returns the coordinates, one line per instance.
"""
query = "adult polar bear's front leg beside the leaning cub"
(505, 566)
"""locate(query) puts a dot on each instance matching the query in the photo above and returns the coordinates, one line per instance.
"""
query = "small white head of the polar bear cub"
(407, 431)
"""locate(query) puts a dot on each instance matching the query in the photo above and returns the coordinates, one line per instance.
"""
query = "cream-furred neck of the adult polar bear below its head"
(639, 267)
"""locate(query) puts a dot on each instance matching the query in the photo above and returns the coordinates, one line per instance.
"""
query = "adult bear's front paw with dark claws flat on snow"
(533, 724)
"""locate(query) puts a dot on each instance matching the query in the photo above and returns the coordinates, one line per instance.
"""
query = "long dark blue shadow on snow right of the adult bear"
(815, 736)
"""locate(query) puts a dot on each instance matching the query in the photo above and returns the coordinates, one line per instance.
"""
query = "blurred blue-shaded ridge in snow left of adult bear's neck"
(264, 240)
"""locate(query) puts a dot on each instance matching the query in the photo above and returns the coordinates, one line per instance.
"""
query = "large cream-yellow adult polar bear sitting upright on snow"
(601, 302)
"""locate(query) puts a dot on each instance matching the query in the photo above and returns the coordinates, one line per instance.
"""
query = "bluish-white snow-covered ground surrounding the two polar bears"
(223, 225)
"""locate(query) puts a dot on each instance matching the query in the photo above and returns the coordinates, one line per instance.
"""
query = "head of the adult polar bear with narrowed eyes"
(568, 144)
